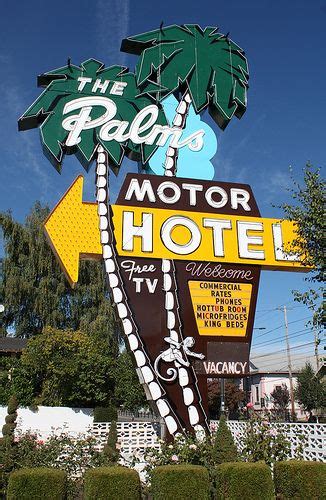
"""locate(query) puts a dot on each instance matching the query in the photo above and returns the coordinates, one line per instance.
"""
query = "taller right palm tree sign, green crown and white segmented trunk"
(208, 70)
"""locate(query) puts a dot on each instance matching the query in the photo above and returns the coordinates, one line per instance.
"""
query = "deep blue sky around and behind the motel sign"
(284, 123)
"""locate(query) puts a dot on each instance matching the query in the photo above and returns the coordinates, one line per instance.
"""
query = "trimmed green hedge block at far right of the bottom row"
(300, 480)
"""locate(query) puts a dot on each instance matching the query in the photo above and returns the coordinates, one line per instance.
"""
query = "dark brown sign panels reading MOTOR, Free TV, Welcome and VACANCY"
(214, 302)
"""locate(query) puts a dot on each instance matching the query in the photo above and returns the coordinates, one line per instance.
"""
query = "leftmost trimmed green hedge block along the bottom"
(38, 483)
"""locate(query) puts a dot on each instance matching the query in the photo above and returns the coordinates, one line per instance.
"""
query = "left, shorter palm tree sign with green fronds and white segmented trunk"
(48, 111)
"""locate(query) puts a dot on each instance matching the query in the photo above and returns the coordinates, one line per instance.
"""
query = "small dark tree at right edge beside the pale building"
(310, 392)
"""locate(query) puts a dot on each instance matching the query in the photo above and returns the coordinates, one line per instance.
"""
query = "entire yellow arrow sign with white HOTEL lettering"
(72, 229)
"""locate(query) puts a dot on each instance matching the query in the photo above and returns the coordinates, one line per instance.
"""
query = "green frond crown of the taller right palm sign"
(206, 63)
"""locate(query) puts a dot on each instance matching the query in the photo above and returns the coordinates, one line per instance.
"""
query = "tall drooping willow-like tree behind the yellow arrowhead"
(35, 291)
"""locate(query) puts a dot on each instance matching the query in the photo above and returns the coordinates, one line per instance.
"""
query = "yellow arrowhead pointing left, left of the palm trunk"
(72, 228)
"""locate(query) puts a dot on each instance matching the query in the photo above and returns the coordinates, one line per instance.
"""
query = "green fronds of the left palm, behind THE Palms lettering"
(62, 87)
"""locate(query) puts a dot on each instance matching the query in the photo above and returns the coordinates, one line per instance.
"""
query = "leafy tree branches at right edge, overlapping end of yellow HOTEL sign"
(308, 211)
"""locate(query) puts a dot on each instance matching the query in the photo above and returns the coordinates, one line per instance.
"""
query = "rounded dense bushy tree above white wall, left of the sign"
(66, 368)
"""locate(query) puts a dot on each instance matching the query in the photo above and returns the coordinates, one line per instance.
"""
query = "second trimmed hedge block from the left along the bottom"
(111, 483)
